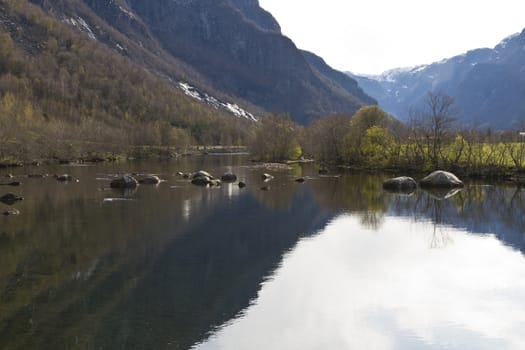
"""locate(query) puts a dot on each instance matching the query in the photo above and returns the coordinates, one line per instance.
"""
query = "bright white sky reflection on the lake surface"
(355, 288)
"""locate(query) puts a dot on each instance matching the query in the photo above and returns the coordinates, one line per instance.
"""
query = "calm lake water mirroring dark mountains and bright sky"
(334, 263)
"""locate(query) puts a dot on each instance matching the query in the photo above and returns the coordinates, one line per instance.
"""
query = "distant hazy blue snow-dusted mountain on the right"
(488, 85)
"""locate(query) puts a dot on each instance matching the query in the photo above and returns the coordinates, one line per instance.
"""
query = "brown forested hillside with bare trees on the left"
(65, 95)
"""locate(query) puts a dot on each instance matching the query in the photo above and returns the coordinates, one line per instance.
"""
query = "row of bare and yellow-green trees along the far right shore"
(371, 139)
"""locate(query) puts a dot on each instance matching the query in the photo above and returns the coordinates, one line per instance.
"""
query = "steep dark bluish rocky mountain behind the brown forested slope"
(231, 49)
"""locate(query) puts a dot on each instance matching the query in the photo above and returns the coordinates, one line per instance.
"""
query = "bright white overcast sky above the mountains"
(371, 36)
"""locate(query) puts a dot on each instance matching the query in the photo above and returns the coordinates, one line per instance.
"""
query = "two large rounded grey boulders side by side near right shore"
(437, 180)
